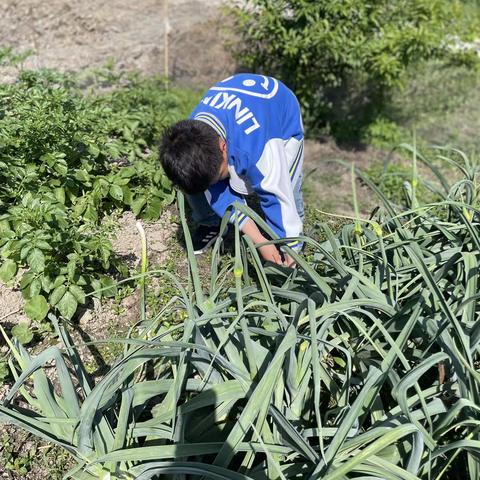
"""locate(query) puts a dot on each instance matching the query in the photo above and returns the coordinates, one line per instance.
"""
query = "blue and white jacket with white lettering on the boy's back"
(260, 120)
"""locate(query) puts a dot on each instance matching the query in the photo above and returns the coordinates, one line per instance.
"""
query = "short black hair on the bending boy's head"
(190, 155)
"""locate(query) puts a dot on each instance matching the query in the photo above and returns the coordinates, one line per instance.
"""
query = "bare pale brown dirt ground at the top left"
(85, 33)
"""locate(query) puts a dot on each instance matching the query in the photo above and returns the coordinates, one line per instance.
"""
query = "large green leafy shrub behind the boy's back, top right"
(342, 57)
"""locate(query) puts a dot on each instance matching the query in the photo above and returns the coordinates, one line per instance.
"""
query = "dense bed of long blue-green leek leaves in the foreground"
(361, 362)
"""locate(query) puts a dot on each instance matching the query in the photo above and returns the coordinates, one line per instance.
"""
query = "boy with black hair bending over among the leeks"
(244, 137)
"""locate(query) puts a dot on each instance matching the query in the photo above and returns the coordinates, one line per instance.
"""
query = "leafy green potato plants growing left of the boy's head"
(71, 154)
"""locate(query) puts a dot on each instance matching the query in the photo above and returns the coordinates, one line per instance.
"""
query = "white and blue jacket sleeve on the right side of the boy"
(271, 180)
